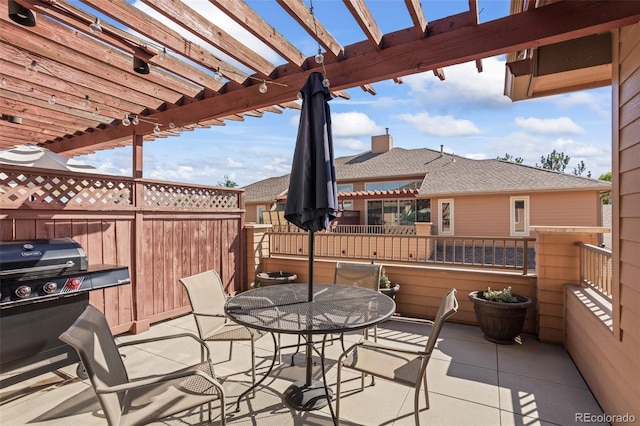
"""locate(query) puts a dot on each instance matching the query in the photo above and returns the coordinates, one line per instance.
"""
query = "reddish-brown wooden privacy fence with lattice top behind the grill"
(162, 231)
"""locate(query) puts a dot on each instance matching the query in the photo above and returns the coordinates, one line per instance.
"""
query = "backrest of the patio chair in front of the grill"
(91, 337)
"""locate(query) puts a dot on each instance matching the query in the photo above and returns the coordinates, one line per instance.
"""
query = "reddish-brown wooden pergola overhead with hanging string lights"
(89, 72)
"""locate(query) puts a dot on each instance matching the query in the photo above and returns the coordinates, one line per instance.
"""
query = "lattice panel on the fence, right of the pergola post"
(188, 197)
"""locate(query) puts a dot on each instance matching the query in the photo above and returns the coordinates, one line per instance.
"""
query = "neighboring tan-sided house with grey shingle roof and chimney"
(392, 186)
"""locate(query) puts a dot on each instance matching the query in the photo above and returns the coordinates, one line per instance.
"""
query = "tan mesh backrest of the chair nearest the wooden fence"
(207, 298)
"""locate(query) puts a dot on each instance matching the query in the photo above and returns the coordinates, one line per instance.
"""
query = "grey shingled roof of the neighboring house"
(441, 173)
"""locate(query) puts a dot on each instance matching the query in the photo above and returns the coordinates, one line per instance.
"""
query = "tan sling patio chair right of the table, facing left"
(400, 365)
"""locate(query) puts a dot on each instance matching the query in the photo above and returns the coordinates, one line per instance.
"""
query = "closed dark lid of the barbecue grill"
(27, 259)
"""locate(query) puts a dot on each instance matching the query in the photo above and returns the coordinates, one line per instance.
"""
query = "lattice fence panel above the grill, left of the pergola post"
(66, 190)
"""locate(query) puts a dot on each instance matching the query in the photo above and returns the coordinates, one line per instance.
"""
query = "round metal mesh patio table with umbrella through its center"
(286, 309)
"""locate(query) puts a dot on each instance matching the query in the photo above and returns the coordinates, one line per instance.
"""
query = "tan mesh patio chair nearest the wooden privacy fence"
(207, 298)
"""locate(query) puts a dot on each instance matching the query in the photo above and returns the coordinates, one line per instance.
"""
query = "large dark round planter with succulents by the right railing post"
(500, 313)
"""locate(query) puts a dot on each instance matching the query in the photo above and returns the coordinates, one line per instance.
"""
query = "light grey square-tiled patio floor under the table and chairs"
(471, 382)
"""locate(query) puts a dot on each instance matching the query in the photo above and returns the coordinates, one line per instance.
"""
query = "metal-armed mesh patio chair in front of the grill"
(146, 399)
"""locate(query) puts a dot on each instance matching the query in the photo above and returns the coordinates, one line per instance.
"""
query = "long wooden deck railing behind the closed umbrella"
(490, 252)
